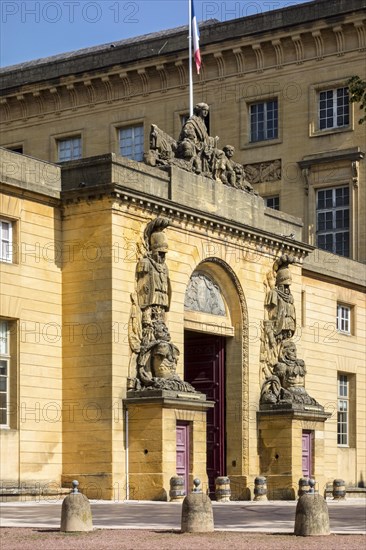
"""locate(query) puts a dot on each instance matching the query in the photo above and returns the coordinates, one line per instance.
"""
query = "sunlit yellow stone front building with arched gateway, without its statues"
(66, 301)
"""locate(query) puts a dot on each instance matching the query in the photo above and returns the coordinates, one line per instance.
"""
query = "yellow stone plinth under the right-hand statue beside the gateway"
(280, 447)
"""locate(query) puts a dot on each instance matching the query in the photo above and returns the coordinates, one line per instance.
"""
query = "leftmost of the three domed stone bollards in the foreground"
(76, 512)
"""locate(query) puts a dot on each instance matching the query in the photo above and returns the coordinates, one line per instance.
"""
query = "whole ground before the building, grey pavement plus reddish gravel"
(156, 526)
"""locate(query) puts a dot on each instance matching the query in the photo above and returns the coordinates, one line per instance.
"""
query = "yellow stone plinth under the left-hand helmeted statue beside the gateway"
(152, 447)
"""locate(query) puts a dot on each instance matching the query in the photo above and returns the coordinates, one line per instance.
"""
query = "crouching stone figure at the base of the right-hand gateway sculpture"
(286, 385)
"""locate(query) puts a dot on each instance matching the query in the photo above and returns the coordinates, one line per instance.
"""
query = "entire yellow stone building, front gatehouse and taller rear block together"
(243, 283)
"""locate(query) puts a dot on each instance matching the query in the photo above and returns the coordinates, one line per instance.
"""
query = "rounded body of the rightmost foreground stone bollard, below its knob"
(312, 517)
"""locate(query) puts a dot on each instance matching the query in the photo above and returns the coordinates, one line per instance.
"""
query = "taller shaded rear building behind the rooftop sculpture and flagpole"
(273, 82)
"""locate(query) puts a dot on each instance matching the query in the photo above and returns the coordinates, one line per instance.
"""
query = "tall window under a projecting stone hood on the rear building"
(332, 220)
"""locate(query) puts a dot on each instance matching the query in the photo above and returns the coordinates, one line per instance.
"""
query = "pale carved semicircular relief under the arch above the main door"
(204, 295)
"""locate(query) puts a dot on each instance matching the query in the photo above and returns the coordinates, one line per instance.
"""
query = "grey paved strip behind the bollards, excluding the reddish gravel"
(347, 517)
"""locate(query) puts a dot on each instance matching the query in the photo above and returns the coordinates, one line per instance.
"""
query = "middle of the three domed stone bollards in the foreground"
(197, 515)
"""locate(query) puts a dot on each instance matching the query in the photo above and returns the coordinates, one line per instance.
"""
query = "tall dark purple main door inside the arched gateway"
(204, 368)
